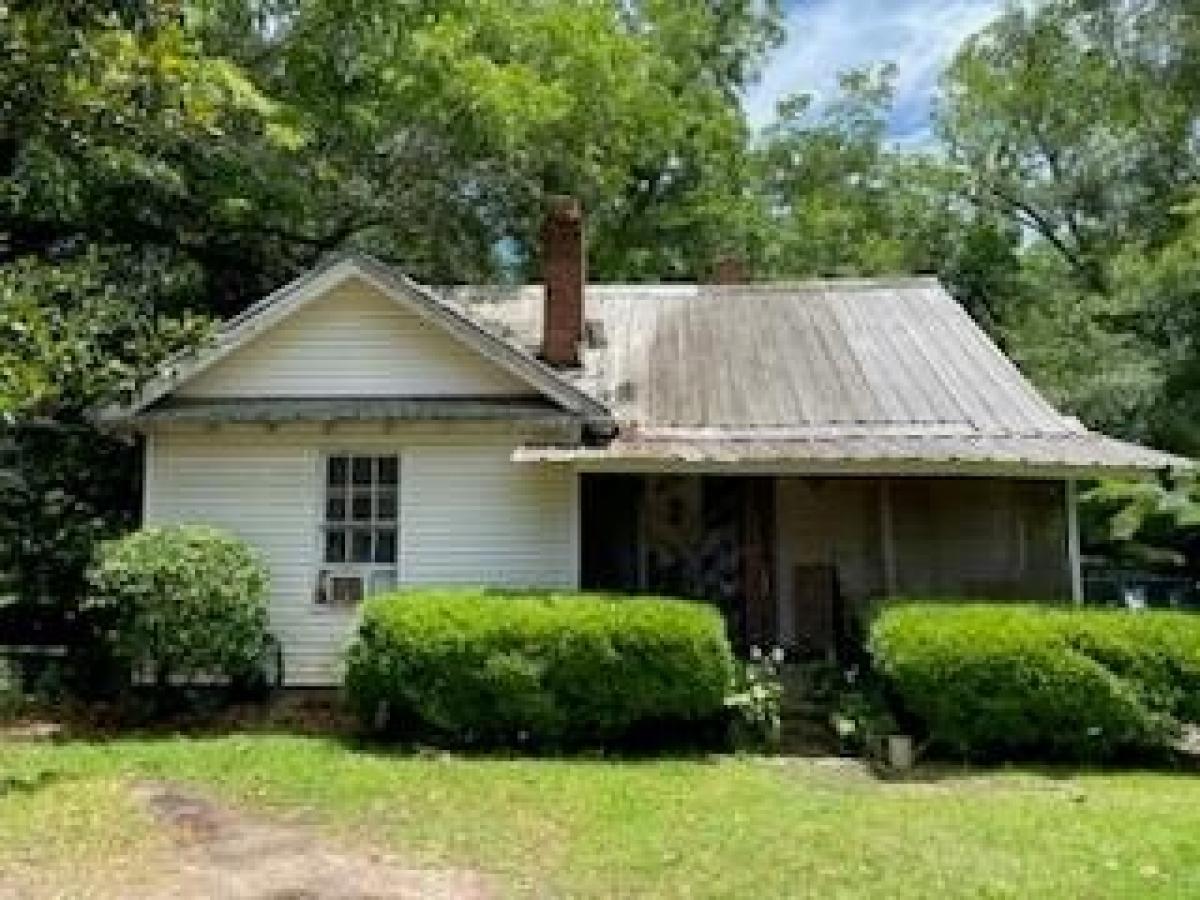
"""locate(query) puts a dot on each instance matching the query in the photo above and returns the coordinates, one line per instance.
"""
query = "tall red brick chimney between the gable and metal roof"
(565, 274)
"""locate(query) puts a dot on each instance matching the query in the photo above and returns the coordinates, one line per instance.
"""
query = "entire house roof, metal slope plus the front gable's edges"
(866, 374)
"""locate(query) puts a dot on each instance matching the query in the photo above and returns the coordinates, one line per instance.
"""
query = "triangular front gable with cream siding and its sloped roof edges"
(356, 328)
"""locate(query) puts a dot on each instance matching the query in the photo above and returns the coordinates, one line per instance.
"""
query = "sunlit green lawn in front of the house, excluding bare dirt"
(729, 827)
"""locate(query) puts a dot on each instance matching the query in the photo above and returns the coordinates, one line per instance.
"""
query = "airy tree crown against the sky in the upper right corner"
(1076, 121)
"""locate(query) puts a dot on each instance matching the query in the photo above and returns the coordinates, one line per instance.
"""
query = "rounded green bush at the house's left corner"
(187, 603)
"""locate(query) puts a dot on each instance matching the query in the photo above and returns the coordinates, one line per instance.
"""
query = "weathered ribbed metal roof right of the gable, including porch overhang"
(857, 370)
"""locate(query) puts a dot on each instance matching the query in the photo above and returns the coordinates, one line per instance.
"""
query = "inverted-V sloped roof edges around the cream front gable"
(398, 287)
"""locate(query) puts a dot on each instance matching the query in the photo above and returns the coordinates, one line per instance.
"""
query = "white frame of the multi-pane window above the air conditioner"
(375, 577)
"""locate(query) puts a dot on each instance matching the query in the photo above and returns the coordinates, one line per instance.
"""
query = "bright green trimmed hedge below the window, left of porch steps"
(553, 670)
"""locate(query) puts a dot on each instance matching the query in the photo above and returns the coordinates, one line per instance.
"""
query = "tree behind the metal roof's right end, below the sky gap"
(843, 202)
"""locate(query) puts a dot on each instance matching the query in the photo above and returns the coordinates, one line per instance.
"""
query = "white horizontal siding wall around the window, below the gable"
(467, 514)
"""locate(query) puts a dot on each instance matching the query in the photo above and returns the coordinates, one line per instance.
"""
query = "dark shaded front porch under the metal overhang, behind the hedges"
(793, 561)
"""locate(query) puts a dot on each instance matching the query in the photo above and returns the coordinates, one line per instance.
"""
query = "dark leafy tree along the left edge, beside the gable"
(127, 154)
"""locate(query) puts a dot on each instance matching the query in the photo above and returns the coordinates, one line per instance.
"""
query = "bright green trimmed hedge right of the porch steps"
(987, 681)
